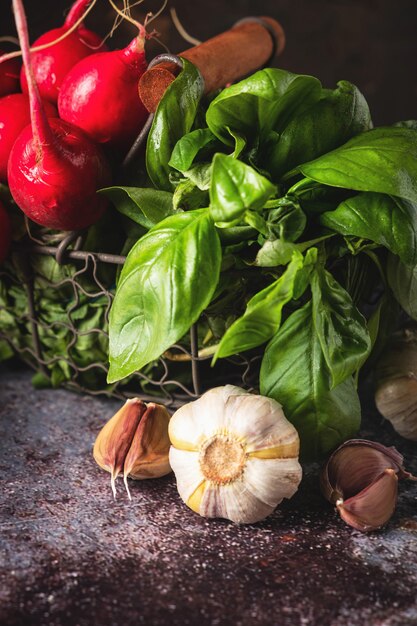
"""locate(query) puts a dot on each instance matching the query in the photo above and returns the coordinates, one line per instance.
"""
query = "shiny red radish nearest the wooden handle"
(100, 94)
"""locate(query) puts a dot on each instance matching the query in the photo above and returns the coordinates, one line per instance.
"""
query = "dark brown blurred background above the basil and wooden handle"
(372, 43)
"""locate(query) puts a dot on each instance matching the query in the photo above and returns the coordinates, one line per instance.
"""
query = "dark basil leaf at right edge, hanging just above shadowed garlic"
(403, 281)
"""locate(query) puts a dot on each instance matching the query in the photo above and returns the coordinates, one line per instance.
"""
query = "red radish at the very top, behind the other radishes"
(51, 65)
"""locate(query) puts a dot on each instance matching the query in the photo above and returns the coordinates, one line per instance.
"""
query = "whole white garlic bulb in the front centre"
(234, 454)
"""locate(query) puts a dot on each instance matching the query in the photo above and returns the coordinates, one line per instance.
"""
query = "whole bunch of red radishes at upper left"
(52, 160)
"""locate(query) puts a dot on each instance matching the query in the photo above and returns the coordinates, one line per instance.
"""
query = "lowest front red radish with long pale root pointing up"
(54, 168)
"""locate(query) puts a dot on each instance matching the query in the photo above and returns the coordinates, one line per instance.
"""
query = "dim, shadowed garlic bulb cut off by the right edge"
(396, 382)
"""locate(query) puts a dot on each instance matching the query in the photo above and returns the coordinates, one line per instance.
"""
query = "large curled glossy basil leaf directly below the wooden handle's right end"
(264, 101)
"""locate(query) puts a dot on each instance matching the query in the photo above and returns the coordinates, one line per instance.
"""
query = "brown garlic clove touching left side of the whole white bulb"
(147, 456)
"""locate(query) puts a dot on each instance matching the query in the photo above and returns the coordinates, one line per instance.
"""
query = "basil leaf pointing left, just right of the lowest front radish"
(144, 206)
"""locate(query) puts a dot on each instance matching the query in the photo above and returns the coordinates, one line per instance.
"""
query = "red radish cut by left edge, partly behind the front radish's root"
(14, 116)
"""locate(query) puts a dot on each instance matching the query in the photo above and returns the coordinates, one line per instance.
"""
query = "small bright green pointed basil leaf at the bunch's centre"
(236, 187)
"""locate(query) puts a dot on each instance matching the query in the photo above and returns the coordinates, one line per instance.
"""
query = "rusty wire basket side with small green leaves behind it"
(60, 337)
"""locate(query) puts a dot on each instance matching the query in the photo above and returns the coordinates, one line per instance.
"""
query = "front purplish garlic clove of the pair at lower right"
(374, 506)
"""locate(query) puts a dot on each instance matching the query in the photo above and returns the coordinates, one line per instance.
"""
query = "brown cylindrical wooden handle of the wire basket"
(223, 59)
